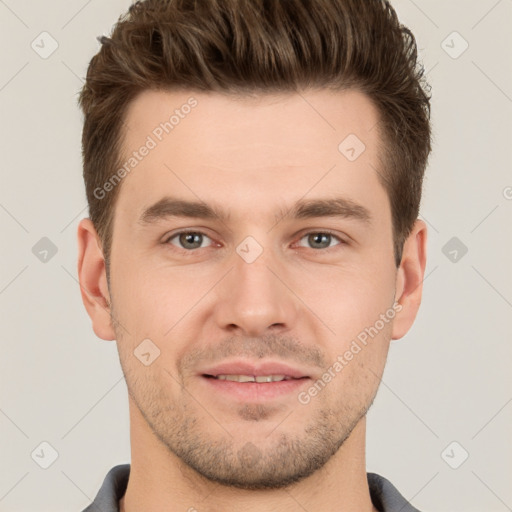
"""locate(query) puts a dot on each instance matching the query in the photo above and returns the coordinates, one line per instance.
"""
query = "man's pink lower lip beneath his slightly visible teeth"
(256, 391)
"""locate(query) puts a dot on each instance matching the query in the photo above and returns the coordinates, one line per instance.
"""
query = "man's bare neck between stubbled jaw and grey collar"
(159, 481)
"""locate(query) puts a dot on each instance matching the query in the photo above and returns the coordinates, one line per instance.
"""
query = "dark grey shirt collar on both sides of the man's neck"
(384, 495)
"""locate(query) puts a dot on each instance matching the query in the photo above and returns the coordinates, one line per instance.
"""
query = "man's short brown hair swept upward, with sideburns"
(259, 46)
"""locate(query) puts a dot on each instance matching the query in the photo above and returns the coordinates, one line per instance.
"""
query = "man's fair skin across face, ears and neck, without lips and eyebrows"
(191, 448)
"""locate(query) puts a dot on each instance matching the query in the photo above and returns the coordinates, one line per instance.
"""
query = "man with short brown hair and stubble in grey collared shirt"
(254, 174)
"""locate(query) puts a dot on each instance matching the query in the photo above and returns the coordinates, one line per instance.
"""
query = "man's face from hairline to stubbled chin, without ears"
(283, 269)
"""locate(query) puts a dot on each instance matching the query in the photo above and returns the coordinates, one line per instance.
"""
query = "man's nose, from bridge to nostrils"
(254, 298)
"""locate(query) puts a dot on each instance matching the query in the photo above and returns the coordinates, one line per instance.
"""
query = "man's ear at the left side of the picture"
(93, 280)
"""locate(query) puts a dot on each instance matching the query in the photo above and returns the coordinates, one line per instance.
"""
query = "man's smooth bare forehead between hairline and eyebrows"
(248, 152)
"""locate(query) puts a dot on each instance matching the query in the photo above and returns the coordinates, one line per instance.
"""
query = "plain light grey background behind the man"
(446, 392)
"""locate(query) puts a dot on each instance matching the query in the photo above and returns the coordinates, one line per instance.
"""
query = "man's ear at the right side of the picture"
(409, 279)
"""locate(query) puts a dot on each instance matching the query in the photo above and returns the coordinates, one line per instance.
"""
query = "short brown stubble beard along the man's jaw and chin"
(200, 441)
